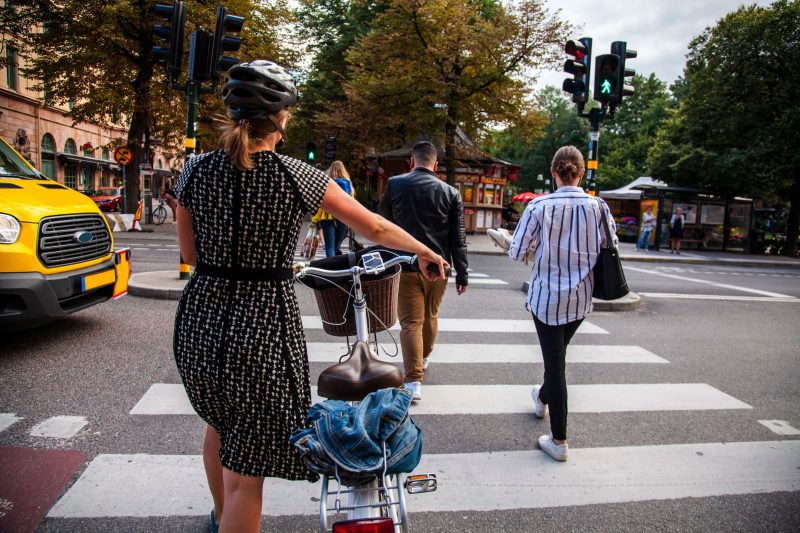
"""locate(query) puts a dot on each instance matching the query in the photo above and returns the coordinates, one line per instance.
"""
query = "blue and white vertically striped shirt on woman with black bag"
(564, 231)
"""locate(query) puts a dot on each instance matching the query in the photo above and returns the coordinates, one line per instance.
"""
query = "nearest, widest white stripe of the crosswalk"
(141, 485)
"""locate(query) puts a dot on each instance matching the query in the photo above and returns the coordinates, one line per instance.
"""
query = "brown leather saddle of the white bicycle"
(359, 375)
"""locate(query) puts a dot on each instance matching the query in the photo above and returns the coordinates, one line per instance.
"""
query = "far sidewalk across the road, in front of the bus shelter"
(482, 244)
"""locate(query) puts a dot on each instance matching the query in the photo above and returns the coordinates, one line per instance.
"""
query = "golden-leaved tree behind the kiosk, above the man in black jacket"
(432, 66)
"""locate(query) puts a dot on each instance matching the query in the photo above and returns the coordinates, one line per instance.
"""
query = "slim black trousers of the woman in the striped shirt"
(554, 341)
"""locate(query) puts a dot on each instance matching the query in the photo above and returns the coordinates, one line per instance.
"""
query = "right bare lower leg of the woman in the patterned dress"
(242, 512)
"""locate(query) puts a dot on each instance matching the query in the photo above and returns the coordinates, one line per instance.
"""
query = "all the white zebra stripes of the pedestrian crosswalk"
(164, 485)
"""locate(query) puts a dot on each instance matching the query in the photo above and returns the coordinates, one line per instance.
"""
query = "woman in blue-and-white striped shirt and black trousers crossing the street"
(563, 232)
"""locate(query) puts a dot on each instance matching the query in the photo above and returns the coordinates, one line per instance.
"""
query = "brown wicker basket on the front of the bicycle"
(336, 306)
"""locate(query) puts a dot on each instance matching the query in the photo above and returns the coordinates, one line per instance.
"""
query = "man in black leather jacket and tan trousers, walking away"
(431, 211)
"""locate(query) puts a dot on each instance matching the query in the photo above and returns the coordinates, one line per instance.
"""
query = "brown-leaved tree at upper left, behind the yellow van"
(98, 54)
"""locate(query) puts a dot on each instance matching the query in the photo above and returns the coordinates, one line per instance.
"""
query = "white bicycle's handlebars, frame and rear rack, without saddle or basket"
(379, 506)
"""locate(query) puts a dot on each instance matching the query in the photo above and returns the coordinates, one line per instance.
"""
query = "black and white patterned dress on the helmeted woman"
(239, 345)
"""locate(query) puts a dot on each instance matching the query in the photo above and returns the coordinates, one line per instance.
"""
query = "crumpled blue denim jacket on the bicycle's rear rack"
(351, 438)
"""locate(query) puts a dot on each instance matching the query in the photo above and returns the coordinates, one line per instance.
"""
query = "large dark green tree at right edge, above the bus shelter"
(739, 112)
